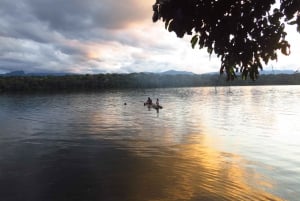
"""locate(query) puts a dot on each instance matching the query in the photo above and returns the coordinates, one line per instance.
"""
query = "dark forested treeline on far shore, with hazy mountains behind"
(133, 80)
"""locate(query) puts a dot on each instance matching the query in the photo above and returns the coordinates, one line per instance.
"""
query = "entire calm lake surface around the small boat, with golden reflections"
(237, 143)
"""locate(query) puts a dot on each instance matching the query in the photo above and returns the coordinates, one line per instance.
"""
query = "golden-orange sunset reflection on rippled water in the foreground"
(194, 170)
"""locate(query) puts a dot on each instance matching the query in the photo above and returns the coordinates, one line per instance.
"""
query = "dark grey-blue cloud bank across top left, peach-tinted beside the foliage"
(72, 18)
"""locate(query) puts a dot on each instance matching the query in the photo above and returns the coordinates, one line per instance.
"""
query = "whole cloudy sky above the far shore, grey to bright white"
(100, 36)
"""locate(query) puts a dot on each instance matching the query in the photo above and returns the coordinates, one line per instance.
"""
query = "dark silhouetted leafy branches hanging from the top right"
(244, 33)
